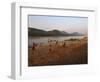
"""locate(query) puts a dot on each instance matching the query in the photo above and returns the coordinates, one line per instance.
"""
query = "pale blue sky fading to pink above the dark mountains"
(62, 23)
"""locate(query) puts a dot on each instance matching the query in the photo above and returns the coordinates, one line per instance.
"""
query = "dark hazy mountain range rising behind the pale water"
(39, 32)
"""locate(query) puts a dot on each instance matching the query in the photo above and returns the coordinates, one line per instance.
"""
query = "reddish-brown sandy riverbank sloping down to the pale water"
(74, 52)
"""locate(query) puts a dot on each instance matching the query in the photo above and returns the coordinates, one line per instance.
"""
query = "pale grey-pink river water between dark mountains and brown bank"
(44, 40)
